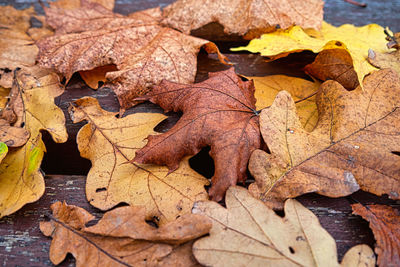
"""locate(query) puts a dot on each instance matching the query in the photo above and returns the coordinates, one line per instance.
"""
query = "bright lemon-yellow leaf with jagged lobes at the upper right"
(357, 41)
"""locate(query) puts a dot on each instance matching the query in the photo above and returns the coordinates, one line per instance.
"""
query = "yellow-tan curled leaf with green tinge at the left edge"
(31, 100)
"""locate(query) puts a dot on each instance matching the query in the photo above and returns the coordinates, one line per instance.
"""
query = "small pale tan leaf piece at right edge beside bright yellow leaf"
(389, 59)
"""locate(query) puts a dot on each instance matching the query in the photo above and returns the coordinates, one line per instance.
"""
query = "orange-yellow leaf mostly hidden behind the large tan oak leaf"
(267, 88)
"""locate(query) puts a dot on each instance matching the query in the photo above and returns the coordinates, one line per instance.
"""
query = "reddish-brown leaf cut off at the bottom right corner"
(384, 222)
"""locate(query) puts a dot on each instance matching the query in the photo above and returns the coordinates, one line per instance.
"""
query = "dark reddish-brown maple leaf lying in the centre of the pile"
(218, 112)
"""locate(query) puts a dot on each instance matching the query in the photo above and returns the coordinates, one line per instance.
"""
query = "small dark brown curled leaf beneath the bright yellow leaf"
(334, 63)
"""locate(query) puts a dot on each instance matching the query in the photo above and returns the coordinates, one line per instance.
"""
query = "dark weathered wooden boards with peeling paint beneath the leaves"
(22, 244)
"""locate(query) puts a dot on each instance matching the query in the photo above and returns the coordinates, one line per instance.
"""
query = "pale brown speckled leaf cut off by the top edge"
(250, 18)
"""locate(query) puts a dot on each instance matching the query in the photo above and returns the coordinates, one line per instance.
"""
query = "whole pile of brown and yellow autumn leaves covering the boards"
(334, 135)
